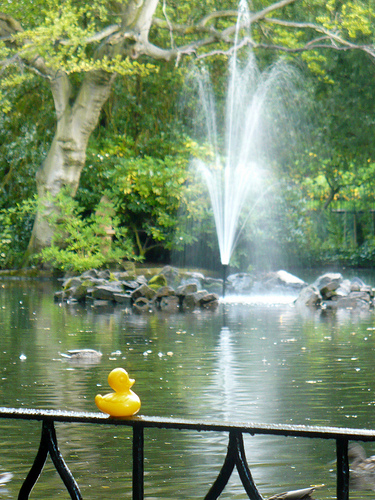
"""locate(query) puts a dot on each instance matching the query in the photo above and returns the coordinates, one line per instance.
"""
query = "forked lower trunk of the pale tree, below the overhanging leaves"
(66, 158)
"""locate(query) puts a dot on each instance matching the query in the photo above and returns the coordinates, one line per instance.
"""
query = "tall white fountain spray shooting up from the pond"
(253, 106)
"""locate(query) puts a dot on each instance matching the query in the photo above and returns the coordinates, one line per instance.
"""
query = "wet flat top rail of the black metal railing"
(190, 424)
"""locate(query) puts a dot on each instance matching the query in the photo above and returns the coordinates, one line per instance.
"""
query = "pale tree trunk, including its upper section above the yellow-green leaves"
(75, 122)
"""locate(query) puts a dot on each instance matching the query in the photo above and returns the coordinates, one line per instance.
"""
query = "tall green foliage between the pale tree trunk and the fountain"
(146, 166)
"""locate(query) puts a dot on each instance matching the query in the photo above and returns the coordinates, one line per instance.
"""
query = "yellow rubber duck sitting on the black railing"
(123, 402)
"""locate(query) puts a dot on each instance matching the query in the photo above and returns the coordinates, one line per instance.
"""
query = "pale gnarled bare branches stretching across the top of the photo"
(137, 31)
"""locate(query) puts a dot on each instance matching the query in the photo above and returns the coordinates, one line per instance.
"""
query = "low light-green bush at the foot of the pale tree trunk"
(81, 243)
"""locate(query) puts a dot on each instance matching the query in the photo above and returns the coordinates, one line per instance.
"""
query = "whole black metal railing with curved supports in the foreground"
(235, 456)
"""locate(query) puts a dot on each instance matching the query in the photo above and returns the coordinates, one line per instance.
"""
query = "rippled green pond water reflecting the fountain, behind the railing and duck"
(263, 362)
